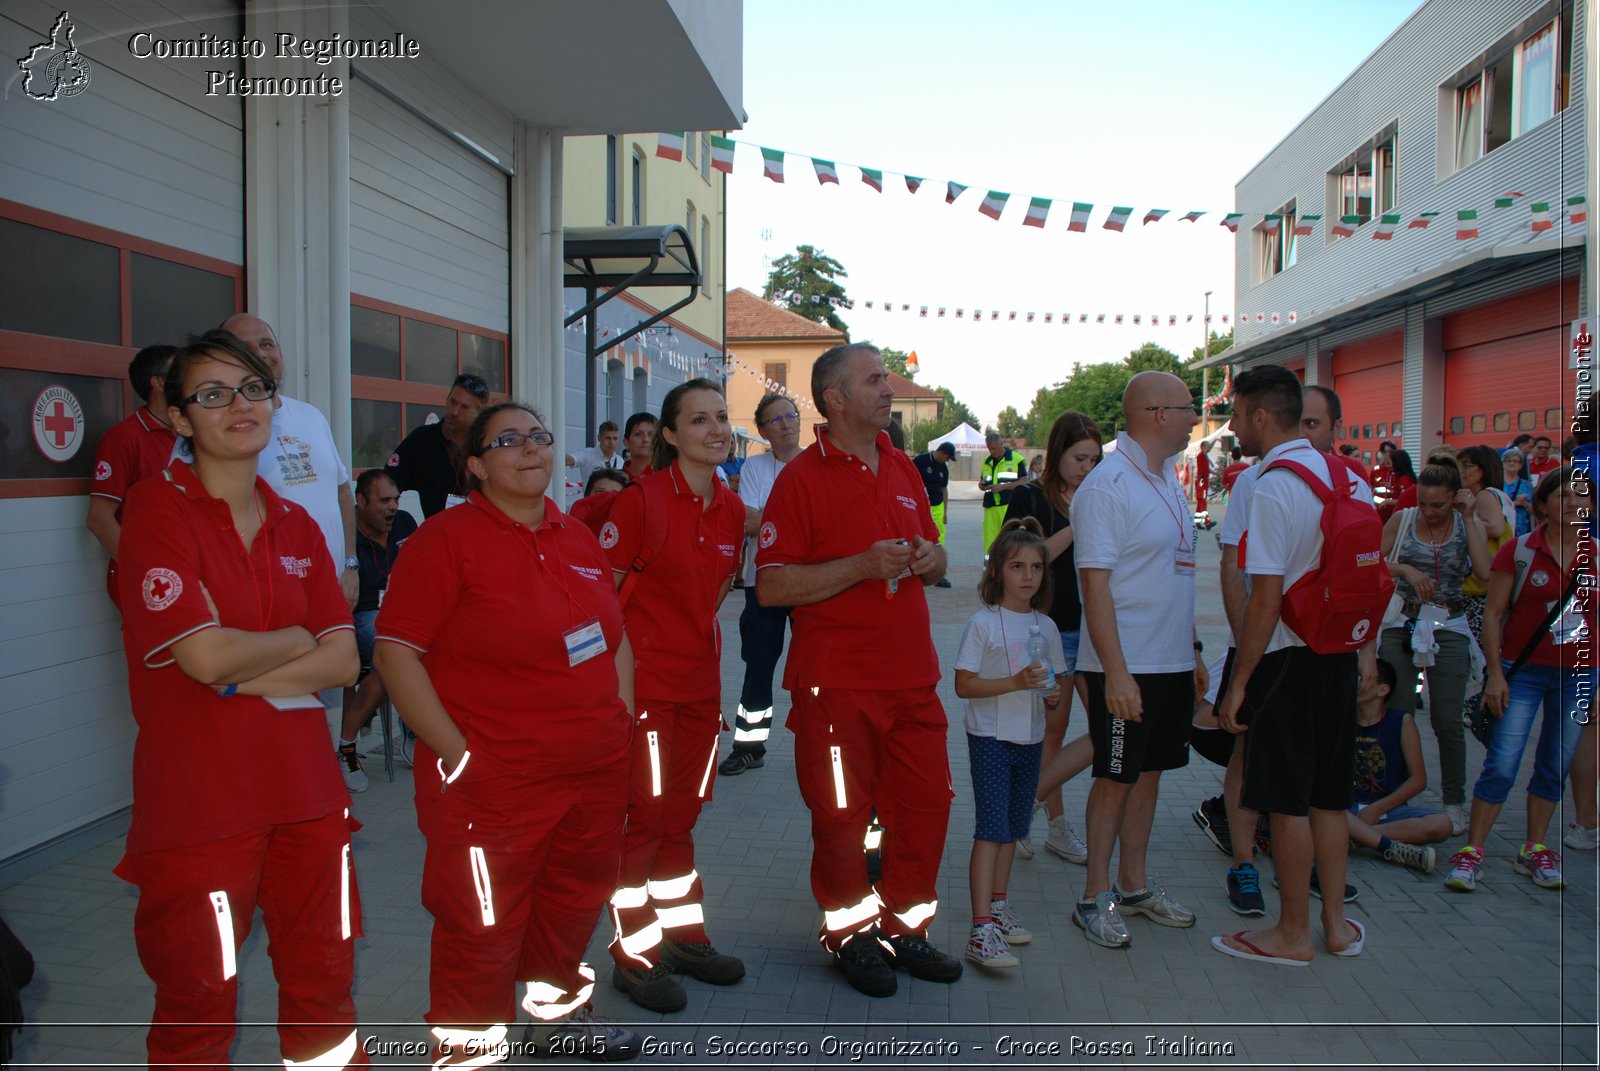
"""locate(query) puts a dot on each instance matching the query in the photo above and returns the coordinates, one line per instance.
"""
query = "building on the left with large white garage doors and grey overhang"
(396, 215)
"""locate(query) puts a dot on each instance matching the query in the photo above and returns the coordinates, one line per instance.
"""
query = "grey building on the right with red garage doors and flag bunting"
(1431, 339)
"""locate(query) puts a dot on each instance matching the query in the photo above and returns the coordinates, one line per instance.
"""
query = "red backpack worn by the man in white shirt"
(1338, 606)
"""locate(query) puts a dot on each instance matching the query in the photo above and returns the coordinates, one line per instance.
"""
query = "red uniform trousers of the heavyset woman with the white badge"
(524, 913)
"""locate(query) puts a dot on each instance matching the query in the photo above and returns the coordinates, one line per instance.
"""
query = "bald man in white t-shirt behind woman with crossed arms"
(302, 463)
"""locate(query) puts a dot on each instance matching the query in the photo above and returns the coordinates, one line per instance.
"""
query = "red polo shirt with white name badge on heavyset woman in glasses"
(489, 601)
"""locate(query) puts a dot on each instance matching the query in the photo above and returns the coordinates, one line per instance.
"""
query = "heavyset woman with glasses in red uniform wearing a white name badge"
(502, 643)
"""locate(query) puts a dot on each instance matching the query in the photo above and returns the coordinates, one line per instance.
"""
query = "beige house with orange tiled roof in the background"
(772, 345)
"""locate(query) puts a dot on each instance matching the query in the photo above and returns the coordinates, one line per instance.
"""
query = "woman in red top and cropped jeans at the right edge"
(1559, 675)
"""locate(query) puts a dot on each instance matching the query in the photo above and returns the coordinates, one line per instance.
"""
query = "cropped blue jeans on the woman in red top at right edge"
(1561, 692)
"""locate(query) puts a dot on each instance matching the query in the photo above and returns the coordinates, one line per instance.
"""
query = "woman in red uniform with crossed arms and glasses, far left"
(233, 617)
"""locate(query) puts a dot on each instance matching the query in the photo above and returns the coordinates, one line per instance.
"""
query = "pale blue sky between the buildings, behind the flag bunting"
(1154, 106)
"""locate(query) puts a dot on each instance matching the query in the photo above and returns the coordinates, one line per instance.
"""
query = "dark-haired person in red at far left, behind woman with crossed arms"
(130, 451)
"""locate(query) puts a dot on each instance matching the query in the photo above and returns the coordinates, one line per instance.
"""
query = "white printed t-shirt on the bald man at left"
(303, 467)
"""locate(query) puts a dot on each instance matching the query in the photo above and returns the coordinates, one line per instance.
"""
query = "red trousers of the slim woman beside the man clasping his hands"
(660, 892)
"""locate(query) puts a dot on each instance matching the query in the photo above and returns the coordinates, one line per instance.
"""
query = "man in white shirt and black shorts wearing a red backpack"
(1318, 595)
